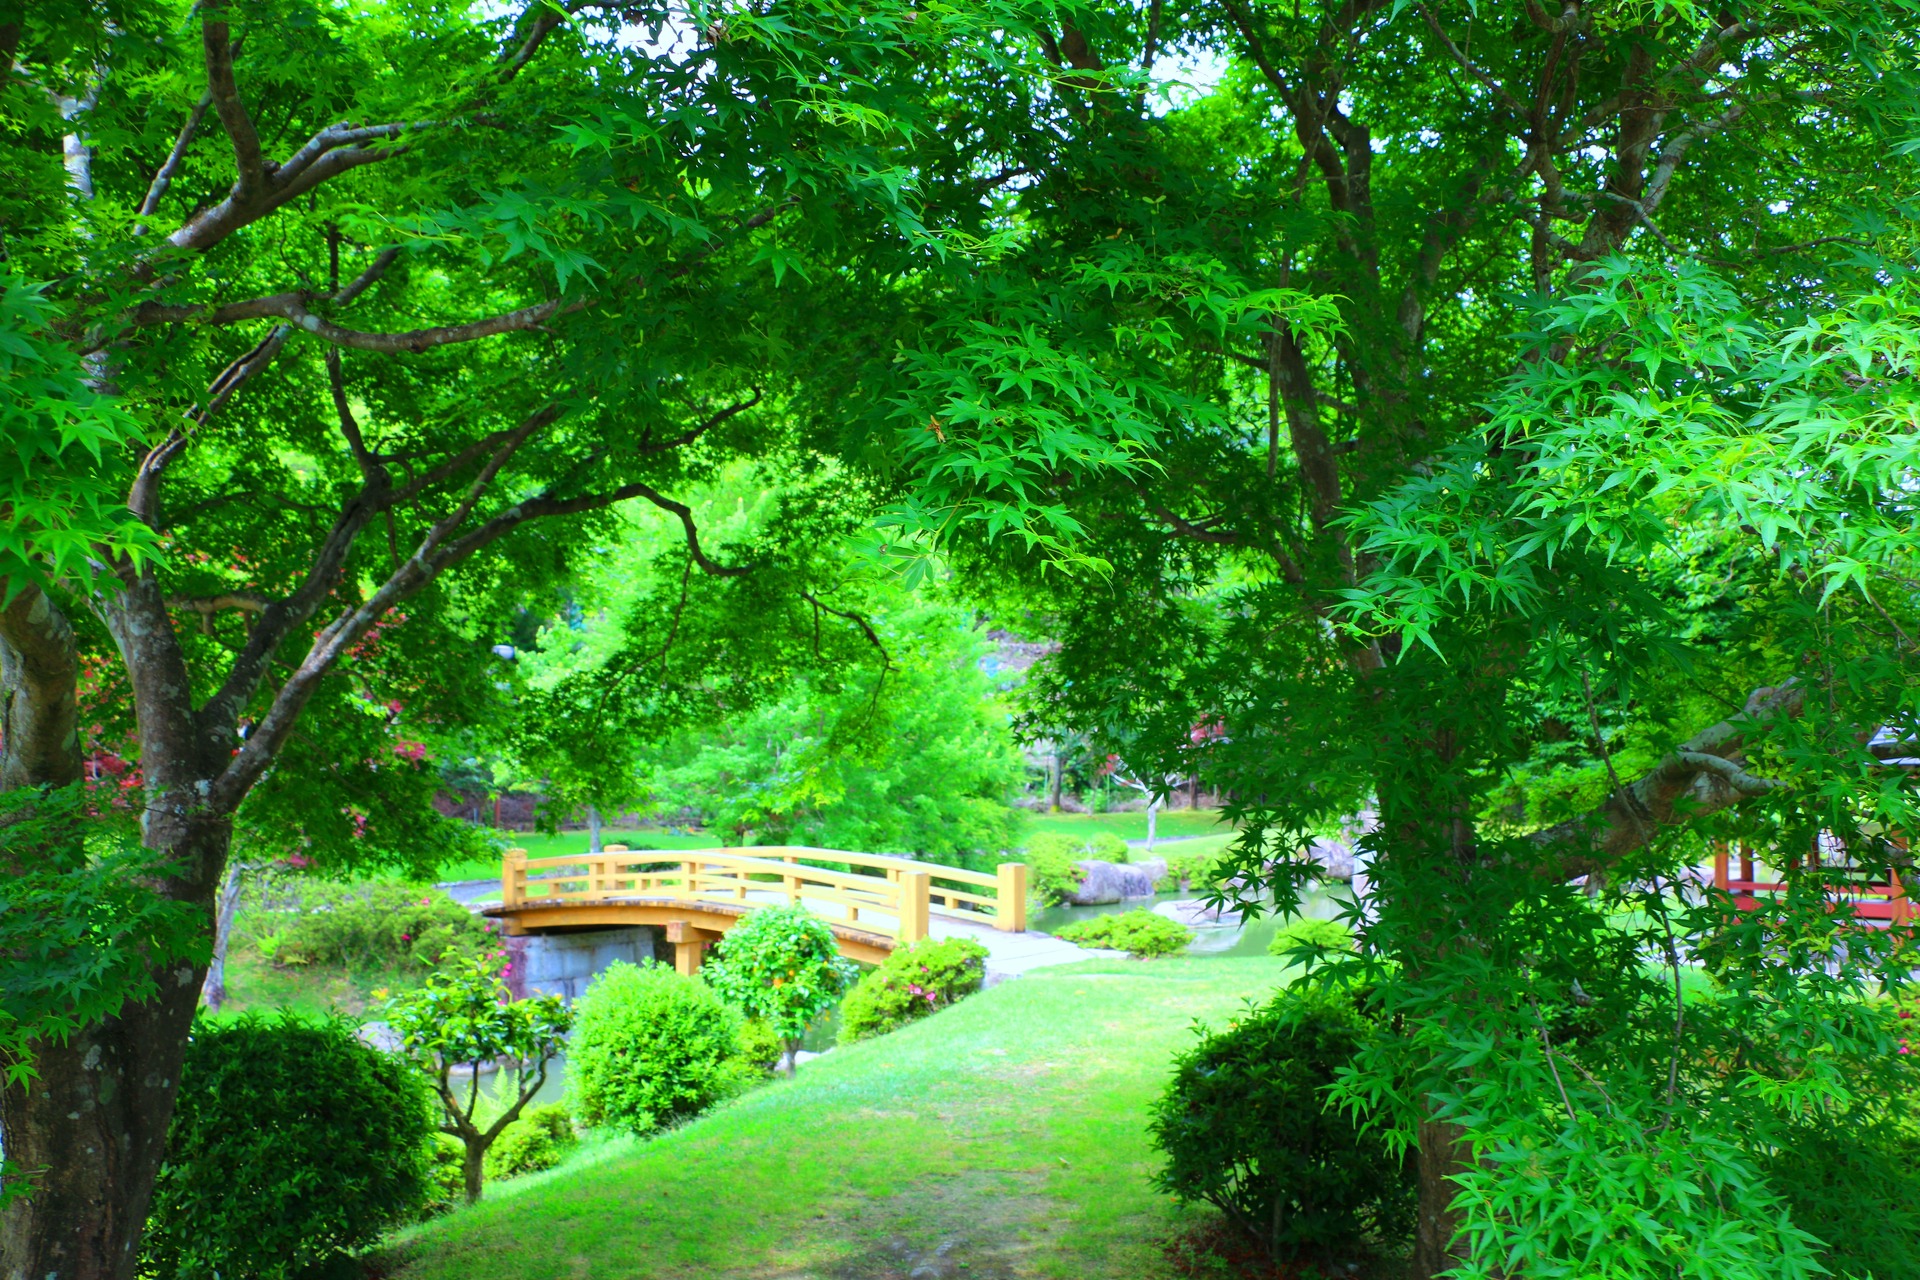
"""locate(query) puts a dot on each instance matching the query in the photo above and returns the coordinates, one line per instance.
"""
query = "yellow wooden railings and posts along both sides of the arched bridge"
(876, 893)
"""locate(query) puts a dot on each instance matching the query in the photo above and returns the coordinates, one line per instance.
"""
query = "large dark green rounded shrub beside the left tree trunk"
(291, 1145)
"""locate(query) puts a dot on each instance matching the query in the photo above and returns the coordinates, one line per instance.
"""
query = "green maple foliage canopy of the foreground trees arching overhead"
(1487, 414)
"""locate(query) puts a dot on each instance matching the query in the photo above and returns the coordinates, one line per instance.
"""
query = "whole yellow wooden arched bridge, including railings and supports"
(873, 903)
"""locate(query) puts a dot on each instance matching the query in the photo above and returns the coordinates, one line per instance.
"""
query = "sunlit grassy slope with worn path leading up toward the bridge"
(1013, 1124)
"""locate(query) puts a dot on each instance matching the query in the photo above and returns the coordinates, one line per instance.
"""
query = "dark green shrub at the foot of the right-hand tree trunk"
(1245, 1126)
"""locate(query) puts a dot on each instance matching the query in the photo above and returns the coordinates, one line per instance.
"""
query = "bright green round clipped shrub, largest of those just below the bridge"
(650, 1049)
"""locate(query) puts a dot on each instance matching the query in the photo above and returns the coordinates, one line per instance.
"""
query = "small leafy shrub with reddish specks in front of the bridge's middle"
(780, 964)
